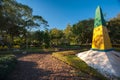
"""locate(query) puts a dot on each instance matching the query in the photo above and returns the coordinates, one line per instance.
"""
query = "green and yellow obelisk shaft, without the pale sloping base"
(101, 40)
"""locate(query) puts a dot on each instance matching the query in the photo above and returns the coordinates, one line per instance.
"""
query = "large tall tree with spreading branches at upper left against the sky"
(16, 19)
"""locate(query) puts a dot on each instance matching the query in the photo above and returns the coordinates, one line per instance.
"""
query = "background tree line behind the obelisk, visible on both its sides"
(77, 34)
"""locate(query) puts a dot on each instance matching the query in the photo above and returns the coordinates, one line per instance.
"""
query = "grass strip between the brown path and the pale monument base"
(72, 60)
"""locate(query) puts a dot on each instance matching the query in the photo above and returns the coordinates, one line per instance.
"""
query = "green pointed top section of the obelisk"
(99, 20)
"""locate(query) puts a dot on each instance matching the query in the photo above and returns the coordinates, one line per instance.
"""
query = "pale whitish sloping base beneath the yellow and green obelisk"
(107, 63)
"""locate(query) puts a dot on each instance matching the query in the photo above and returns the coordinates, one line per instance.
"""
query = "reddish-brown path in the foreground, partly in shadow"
(43, 67)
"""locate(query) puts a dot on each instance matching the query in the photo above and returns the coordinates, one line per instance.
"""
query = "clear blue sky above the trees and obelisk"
(59, 13)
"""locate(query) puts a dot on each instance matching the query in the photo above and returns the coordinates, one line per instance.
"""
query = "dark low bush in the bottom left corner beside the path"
(7, 64)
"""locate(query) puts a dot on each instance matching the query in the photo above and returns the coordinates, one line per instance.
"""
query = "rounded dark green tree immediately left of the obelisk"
(83, 31)
